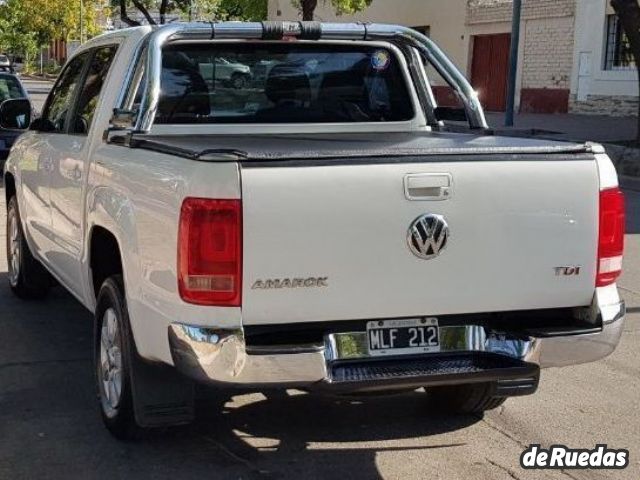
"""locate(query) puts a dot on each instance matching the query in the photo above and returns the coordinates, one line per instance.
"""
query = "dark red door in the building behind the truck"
(489, 69)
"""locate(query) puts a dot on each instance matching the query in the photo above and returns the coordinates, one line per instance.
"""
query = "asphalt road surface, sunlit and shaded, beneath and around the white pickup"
(50, 426)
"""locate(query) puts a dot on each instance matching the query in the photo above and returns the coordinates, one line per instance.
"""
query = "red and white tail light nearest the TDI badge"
(611, 236)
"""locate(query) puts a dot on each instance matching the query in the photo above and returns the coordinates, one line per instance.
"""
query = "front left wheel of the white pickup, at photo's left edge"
(27, 277)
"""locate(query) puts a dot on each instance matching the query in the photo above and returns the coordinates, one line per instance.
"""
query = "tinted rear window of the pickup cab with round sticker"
(281, 83)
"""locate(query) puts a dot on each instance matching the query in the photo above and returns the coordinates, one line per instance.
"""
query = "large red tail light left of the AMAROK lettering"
(210, 252)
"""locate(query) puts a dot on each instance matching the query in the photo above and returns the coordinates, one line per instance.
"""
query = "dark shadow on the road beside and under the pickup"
(50, 426)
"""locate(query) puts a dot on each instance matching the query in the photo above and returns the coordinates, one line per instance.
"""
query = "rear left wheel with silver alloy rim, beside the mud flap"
(113, 349)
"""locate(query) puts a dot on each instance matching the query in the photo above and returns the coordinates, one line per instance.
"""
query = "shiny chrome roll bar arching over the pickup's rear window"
(396, 34)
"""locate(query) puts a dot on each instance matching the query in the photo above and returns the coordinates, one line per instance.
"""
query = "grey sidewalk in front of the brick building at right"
(579, 128)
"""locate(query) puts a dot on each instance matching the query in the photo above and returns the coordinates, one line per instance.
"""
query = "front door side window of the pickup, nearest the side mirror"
(54, 117)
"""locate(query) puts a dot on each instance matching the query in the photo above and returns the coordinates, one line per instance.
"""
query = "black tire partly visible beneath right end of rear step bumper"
(464, 399)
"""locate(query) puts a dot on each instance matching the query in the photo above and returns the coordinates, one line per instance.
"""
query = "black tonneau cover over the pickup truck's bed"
(384, 146)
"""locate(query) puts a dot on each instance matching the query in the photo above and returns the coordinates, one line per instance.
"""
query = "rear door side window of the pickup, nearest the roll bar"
(90, 92)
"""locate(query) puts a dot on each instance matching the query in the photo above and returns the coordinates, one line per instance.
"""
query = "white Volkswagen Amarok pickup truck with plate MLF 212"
(327, 228)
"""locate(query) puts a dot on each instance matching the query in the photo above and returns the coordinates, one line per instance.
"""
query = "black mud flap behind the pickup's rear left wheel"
(161, 396)
